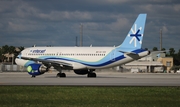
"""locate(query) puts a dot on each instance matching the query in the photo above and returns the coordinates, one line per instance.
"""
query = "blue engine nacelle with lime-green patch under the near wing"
(36, 69)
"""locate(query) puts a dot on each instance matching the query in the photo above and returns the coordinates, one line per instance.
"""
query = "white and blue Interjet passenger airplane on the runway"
(85, 60)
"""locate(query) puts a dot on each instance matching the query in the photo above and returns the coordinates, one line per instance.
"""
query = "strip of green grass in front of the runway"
(62, 96)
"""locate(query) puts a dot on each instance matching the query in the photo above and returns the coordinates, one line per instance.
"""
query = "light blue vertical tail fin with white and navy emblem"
(135, 36)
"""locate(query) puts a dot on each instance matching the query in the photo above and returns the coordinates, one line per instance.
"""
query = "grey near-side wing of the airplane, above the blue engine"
(48, 63)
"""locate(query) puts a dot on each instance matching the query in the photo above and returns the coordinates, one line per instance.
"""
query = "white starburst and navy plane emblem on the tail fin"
(135, 35)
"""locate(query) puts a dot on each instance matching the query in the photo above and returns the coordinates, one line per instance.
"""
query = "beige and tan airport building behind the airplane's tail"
(155, 62)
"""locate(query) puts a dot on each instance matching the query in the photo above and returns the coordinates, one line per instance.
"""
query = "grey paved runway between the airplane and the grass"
(102, 79)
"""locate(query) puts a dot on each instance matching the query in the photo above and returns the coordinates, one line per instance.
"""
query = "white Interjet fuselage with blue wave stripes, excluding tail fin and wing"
(79, 57)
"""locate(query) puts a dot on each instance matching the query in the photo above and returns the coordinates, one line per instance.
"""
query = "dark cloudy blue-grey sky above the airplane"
(105, 22)
